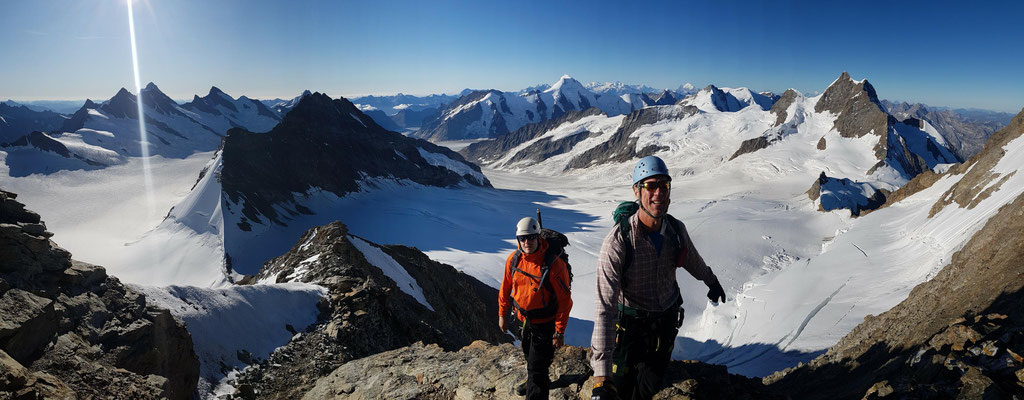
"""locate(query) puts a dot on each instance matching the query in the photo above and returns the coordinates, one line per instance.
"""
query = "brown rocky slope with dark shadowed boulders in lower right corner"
(959, 335)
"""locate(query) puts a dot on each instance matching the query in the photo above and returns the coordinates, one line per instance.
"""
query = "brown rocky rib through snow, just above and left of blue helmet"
(621, 147)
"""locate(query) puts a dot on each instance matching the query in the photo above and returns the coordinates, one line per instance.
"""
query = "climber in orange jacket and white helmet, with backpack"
(537, 287)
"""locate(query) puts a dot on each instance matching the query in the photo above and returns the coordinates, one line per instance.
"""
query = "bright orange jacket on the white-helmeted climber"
(528, 293)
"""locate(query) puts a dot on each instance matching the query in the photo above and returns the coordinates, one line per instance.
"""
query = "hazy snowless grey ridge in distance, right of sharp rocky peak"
(965, 135)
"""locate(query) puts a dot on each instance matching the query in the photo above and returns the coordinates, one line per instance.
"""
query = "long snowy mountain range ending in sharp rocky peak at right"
(902, 150)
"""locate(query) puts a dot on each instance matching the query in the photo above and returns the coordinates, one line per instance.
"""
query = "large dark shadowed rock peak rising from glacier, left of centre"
(323, 144)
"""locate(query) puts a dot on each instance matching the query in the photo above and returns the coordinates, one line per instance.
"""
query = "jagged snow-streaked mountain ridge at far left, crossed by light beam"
(99, 136)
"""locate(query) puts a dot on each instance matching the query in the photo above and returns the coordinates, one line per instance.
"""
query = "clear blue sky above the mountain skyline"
(942, 54)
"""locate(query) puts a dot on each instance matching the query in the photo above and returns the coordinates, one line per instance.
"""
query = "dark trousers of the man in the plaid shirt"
(644, 350)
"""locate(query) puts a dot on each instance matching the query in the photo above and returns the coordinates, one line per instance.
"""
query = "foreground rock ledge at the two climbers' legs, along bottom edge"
(489, 372)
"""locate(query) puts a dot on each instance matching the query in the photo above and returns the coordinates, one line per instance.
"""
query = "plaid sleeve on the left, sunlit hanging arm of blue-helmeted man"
(607, 316)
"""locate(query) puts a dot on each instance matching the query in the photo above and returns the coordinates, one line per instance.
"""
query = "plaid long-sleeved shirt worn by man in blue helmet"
(651, 283)
